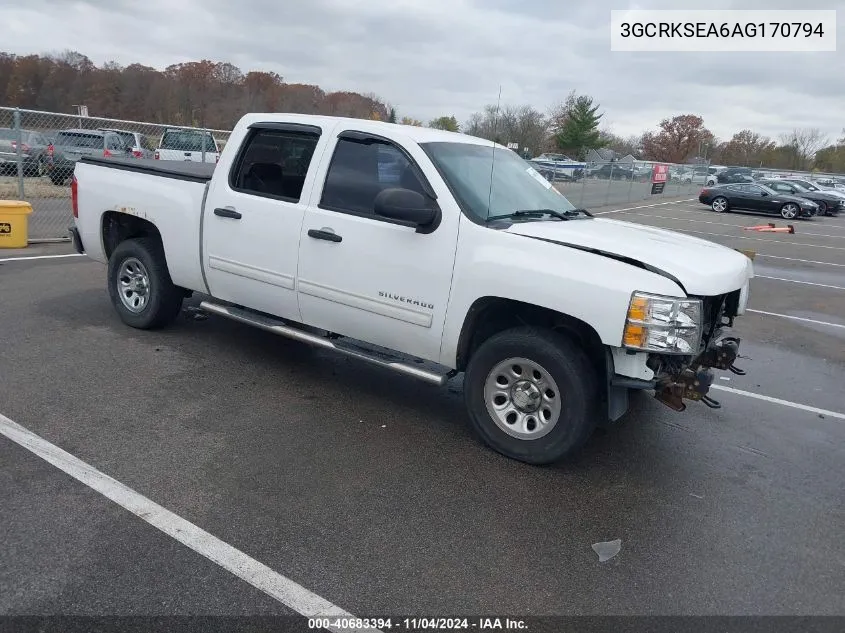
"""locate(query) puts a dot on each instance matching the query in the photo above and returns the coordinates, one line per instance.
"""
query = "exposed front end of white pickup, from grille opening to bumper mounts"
(680, 378)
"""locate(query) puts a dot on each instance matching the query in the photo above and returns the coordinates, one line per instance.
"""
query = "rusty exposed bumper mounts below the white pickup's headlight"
(693, 381)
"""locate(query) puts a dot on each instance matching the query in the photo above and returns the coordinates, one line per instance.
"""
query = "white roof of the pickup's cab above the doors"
(415, 133)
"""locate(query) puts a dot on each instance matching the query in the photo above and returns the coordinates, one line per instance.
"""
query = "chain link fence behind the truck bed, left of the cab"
(38, 151)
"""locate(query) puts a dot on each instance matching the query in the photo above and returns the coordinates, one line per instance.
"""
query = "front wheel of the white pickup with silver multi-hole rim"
(566, 395)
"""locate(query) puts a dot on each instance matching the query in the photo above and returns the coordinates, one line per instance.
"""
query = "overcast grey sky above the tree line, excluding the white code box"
(434, 57)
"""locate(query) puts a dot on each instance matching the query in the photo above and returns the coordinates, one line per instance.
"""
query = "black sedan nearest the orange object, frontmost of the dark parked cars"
(754, 197)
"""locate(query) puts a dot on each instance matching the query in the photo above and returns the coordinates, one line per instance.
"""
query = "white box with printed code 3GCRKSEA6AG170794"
(723, 31)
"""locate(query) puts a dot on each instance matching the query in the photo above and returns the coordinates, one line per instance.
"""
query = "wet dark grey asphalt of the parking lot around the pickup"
(368, 489)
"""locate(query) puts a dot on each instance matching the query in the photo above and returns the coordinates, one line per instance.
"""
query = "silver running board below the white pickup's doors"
(282, 329)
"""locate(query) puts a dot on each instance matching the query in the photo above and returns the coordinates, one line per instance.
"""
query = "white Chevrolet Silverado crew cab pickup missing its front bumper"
(425, 252)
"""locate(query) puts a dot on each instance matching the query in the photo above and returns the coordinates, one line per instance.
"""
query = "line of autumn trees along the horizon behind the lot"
(217, 94)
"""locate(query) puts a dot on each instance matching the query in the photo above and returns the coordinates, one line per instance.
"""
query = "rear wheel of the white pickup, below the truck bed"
(139, 284)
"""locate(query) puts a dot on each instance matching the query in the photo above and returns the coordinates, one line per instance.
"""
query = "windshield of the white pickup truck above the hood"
(488, 183)
